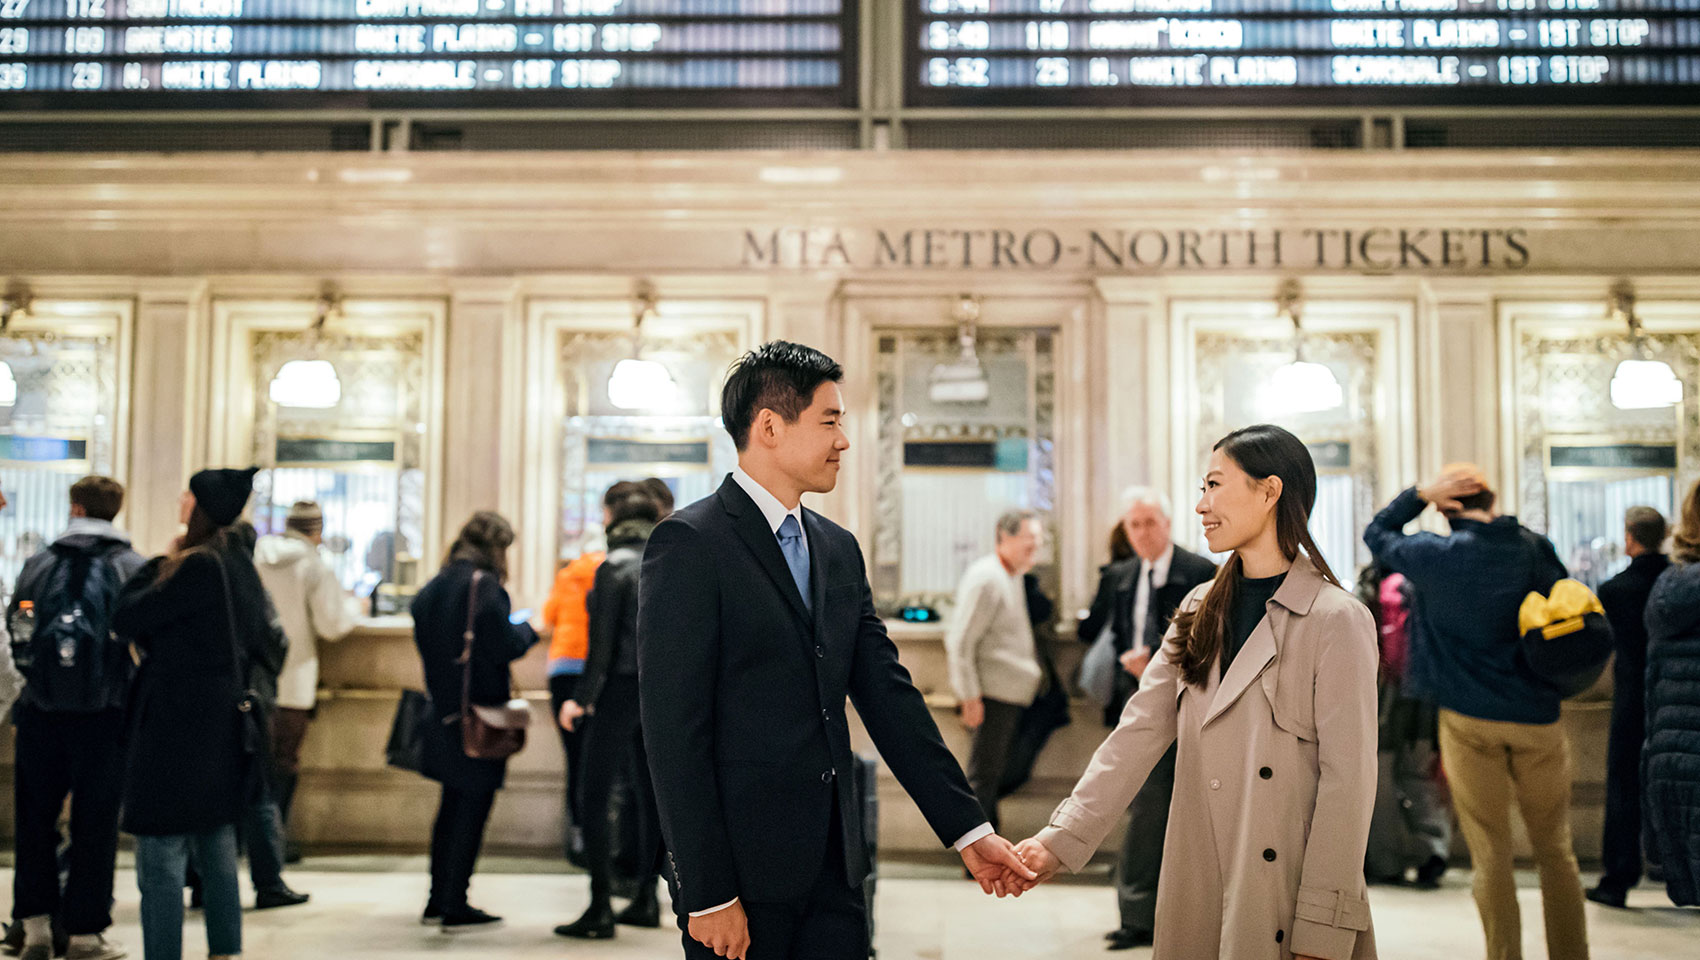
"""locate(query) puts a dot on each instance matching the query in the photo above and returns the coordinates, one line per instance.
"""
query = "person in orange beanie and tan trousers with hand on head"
(1500, 733)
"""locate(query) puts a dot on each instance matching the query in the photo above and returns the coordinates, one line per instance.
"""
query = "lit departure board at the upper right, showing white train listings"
(1303, 52)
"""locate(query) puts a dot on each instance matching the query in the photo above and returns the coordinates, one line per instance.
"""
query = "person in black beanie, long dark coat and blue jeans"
(195, 743)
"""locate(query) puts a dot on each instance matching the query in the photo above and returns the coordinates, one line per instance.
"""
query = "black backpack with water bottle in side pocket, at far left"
(74, 664)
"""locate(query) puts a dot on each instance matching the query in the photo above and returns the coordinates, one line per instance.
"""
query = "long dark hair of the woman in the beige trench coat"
(1262, 451)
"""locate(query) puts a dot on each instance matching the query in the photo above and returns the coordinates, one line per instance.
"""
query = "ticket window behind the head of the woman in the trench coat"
(1238, 358)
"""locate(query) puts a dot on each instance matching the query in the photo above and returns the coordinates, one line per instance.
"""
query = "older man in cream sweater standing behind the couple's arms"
(990, 648)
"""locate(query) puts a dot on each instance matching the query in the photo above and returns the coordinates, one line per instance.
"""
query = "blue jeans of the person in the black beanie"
(162, 864)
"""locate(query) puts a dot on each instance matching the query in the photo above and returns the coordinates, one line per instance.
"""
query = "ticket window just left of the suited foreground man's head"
(601, 431)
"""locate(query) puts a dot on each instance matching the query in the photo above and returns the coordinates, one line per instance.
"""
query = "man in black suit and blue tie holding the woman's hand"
(756, 623)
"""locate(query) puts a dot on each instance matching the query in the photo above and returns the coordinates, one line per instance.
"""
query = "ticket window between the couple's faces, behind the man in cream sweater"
(965, 436)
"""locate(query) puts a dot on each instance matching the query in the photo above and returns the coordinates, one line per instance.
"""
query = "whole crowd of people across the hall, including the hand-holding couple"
(700, 665)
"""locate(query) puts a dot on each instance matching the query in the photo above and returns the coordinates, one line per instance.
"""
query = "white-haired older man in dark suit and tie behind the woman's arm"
(1138, 599)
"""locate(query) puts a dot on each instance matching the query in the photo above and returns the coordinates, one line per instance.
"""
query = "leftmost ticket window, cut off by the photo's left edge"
(60, 398)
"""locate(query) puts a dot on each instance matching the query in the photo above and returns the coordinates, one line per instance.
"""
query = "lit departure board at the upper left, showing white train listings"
(426, 54)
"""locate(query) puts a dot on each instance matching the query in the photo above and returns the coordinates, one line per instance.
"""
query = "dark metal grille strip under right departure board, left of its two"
(990, 133)
